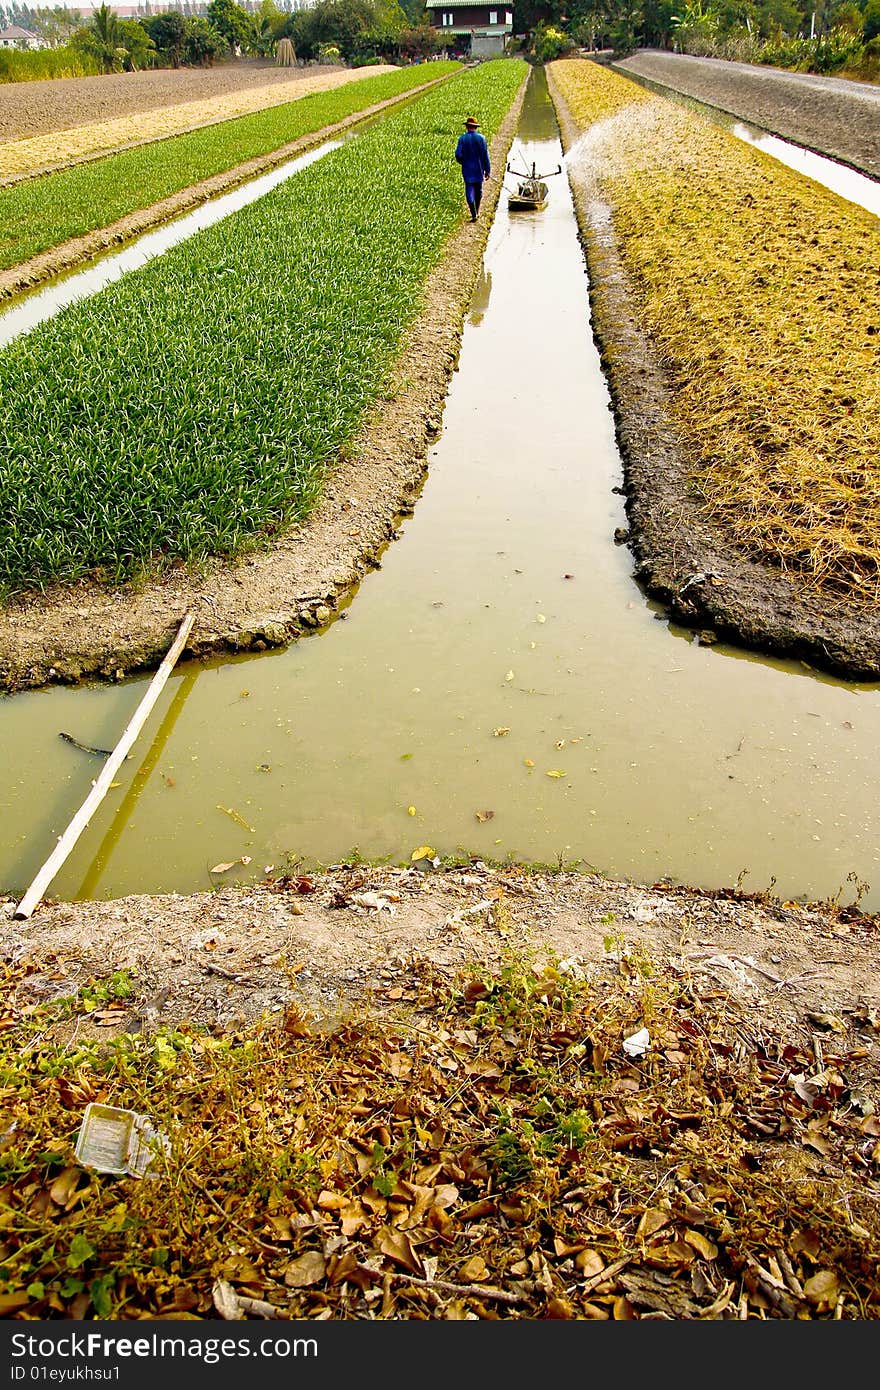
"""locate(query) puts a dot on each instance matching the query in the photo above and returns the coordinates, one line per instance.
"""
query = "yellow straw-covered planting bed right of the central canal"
(761, 293)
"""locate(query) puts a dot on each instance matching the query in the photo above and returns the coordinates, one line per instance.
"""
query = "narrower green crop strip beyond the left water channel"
(48, 212)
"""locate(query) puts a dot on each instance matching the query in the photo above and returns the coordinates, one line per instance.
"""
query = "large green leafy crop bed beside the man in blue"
(193, 408)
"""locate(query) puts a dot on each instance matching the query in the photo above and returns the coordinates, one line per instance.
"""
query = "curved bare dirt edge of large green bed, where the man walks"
(273, 598)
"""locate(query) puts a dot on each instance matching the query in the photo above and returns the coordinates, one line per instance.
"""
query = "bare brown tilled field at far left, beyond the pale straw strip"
(62, 104)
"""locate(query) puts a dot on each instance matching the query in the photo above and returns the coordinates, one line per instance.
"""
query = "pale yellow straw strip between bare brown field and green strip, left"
(59, 148)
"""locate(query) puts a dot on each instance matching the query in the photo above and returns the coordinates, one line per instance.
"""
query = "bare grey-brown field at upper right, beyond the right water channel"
(832, 116)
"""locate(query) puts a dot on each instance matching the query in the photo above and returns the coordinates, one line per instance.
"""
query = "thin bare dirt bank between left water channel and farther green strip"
(80, 250)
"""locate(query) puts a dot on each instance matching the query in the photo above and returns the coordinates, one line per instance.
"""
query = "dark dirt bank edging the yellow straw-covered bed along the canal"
(683, 559)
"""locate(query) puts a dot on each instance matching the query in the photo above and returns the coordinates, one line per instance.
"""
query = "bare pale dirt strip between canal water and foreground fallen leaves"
(352, 940)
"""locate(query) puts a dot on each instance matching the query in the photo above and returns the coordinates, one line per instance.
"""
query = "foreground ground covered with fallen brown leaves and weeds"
(493, 1153)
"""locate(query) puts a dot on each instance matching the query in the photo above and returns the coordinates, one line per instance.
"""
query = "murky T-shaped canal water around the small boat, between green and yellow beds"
(504, 640)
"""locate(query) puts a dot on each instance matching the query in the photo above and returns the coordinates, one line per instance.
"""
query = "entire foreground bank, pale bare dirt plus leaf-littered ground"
(471, 1095)
